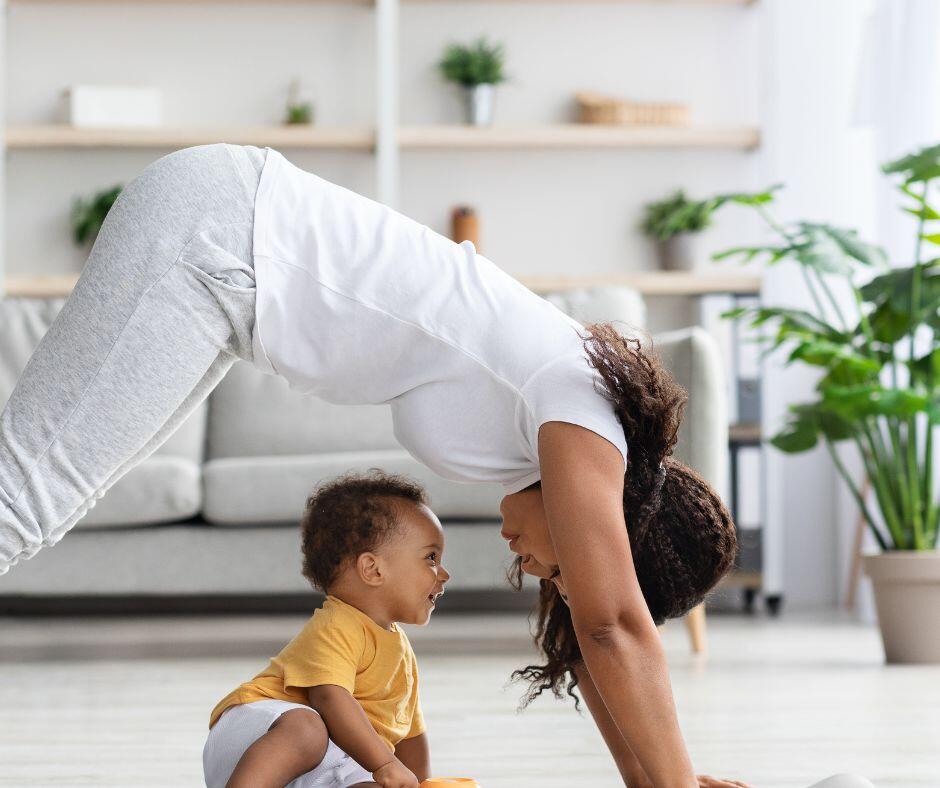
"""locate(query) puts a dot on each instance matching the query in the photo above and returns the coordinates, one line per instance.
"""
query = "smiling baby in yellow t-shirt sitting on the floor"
(338, 707)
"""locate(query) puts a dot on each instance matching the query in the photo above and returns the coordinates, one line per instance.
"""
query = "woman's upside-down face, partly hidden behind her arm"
(525, 526)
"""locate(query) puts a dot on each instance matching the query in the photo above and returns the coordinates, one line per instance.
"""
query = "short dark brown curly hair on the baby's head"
(348, 516)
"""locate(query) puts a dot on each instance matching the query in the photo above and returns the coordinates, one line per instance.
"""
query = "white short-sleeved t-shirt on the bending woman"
(357, 304)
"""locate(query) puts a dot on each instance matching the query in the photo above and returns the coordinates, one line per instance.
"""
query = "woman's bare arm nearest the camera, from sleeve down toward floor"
(582, 490)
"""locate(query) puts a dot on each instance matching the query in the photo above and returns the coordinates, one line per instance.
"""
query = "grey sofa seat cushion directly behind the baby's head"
(252, 490)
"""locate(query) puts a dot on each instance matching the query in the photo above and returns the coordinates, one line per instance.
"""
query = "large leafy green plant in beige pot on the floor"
(879, 390)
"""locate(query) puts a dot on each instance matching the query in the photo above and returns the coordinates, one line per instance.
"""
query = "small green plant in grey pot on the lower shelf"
(673, 224)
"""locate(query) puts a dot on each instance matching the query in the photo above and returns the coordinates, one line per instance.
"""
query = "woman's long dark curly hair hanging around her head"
(682, 537)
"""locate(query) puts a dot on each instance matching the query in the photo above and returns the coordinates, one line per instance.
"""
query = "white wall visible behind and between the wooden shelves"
(230, 64)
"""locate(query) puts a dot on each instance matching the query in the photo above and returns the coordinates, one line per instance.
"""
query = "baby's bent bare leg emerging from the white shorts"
(294, 745)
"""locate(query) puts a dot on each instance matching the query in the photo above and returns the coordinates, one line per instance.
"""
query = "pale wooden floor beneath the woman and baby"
(778, 703)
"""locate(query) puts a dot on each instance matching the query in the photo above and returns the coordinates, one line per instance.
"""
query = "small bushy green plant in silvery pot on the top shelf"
(478, 69)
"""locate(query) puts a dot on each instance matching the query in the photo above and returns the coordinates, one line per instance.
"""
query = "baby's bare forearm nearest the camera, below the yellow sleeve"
(349, 727)
